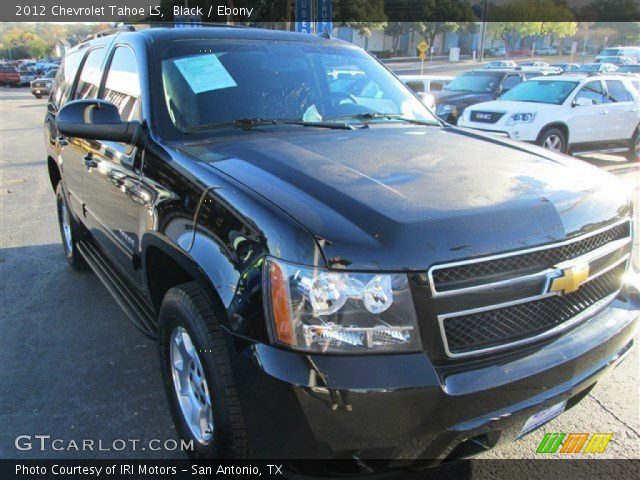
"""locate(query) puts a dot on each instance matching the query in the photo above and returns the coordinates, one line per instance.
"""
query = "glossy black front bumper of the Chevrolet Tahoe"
(404, 407)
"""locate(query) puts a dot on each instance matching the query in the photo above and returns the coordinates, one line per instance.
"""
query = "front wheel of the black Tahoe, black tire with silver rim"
(197, 375)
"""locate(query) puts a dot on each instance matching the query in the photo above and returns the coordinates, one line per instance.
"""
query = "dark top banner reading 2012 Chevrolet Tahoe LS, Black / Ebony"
(344, 11)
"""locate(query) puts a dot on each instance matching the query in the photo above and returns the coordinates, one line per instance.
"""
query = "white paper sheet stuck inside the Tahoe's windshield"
(204, 73)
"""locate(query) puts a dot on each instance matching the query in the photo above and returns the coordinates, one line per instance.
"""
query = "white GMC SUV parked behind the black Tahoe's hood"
(568, 114)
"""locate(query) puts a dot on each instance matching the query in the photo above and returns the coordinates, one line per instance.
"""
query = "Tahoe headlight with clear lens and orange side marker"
(319, 310)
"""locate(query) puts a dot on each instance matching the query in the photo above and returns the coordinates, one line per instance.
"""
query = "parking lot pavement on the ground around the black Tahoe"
(73, 367)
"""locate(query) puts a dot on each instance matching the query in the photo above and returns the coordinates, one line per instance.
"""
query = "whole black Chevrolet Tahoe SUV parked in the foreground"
(329, 270)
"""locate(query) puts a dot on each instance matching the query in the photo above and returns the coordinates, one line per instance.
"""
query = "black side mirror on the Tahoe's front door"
(94, 119)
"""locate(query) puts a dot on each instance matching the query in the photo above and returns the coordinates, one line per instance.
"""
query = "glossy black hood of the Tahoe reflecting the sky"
(399, 197)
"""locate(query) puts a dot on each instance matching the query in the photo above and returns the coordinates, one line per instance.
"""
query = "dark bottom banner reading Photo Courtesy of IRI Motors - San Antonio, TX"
(584, 469)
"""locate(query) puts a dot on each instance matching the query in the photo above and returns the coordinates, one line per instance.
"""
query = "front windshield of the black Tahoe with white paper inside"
(215, 83)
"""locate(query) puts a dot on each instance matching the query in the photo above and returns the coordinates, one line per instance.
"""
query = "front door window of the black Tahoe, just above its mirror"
(122, 87)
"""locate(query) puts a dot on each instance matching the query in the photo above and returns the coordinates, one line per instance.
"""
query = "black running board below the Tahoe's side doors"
(137, 309)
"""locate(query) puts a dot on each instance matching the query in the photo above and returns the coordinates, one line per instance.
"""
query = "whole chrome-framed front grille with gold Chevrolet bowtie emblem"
(528, 309)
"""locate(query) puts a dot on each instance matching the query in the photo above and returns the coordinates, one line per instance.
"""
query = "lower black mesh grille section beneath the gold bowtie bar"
(513, 323)
